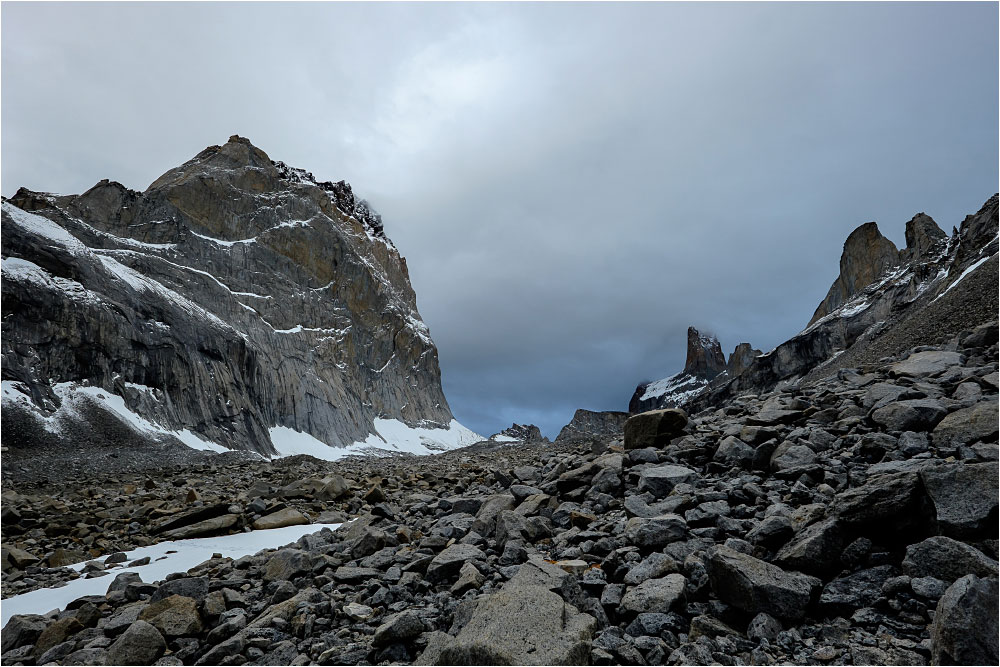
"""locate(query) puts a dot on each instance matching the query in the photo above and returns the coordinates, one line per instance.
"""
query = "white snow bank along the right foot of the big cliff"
(392, 436)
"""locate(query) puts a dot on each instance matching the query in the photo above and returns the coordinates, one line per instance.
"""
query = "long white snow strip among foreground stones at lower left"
(189, 553)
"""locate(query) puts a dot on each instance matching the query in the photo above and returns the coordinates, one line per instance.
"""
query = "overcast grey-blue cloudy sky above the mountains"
(572, 185)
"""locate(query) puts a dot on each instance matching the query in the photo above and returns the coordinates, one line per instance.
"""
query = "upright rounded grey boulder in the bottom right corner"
(964, 631)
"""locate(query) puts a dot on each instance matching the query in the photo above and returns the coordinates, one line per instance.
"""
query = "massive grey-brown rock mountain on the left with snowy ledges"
(236, 303)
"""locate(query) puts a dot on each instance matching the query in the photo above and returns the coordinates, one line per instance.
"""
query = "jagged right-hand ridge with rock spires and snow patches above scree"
(939, 287)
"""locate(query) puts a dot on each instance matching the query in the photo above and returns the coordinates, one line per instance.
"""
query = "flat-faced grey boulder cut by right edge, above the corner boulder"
(964, 498)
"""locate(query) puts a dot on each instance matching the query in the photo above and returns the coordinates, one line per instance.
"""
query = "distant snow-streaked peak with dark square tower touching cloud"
(705, 363)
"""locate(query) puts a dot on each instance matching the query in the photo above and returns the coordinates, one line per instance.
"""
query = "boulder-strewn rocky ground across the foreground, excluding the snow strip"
(852, 520)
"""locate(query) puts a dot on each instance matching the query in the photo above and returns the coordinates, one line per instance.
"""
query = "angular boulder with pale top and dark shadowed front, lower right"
(756, 586)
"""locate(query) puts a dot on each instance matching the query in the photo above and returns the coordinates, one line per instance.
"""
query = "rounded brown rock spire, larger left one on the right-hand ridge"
(867, 255)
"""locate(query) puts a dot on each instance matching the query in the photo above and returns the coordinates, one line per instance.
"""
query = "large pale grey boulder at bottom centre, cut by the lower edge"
(520, 625)
